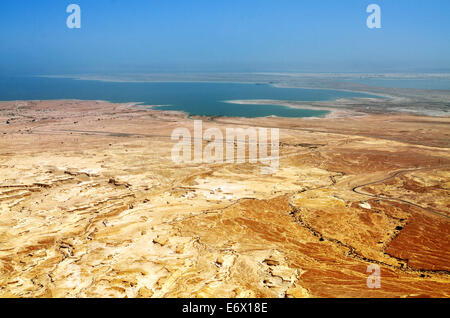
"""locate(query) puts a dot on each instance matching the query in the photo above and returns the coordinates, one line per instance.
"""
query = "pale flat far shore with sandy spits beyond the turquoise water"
(392, 100)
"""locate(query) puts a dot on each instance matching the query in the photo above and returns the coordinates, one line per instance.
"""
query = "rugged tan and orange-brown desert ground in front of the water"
(91, 205)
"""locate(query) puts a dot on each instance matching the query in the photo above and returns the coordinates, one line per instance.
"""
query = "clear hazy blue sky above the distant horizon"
(223, 35)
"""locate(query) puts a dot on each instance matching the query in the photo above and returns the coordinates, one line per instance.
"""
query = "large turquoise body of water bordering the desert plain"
(203, 99)
